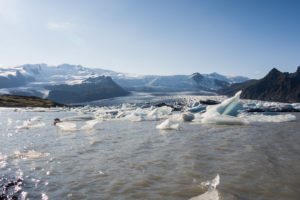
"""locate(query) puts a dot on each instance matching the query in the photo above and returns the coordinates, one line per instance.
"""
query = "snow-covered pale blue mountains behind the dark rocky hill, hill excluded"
(32, 79)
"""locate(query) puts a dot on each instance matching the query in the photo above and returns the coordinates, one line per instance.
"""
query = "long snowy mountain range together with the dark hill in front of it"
(52, 81)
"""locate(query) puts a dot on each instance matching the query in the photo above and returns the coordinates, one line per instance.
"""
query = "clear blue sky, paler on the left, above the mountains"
(163, 37)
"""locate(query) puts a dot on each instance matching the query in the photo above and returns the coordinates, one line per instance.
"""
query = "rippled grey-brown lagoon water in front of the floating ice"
(132, 159)
